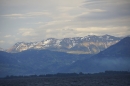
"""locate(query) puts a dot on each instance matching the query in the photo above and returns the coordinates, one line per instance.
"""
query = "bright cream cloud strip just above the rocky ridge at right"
(115, 31)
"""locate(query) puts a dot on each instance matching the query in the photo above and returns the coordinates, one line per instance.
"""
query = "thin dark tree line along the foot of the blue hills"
(67, 74)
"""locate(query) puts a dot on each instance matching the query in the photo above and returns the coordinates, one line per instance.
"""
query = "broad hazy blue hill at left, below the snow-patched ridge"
(35, 62)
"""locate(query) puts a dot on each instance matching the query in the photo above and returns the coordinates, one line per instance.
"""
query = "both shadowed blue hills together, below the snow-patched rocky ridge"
(43, 61)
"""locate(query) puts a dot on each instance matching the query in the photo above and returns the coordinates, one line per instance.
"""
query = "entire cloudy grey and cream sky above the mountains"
(36, 20)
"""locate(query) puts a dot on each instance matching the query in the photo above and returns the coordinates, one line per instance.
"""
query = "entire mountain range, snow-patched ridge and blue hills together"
(38, 61)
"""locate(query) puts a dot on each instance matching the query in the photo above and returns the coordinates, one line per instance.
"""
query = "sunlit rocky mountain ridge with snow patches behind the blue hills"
(90, 44)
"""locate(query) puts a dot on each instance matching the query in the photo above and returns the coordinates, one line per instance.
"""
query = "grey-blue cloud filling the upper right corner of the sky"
(113, 9)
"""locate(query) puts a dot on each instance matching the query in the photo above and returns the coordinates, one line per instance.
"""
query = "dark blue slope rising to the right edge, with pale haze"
(116, 57)
